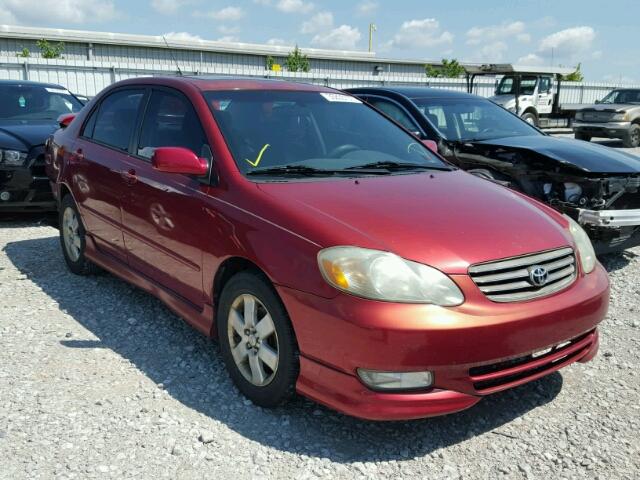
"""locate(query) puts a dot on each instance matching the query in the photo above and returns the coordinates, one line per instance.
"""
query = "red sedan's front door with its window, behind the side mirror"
(163, 214)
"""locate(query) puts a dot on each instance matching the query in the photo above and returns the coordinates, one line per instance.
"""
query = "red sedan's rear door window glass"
(116, 118)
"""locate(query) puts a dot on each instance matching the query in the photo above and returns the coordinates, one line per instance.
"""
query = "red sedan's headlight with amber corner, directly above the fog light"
(378, 275)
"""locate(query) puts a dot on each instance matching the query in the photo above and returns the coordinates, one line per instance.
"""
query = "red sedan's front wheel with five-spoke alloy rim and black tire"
(257, 341)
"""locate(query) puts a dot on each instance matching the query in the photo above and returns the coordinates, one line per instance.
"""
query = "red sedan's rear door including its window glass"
(99, 156)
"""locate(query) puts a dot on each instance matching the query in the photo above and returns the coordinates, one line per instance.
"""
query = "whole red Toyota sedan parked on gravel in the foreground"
(329, 250)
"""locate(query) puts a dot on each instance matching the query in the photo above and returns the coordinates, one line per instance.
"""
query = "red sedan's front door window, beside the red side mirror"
(170, 121)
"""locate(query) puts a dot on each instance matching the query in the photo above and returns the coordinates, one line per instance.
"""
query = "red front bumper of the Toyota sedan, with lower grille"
(460, 345)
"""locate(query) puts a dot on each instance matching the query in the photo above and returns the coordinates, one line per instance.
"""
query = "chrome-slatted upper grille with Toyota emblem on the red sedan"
(511, 279)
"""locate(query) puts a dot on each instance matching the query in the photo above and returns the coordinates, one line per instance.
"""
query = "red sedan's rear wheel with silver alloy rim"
(73, 239)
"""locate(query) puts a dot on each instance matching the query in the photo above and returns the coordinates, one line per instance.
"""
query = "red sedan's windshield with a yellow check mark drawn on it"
(327, 131)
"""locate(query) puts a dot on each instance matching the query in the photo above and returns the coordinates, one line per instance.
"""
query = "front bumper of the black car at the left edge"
(22, 189)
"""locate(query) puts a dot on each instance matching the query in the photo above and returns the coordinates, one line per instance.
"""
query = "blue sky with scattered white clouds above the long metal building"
(602, 36)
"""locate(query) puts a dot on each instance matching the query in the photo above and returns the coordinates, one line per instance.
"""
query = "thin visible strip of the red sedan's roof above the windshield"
(208, 83)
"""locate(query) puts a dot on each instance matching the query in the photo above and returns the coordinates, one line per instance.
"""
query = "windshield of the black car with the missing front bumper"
(467, 119)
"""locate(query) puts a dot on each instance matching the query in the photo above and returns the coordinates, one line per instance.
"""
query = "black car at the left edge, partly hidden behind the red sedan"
(28, 115)
